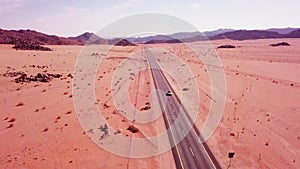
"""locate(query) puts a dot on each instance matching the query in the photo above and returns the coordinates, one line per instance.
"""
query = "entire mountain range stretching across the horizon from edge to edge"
(11, 36)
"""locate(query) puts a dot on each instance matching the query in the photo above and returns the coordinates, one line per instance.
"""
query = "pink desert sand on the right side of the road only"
(261, 114)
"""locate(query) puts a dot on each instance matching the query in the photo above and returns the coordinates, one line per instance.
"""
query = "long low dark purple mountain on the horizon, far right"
(248, 34)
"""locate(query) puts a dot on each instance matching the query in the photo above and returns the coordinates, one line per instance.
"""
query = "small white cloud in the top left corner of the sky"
(8, 6)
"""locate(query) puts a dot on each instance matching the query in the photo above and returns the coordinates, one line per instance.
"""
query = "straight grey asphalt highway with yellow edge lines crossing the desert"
(189, 153)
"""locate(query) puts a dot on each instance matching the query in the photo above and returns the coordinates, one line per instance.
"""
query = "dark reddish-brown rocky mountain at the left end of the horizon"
(11, 36)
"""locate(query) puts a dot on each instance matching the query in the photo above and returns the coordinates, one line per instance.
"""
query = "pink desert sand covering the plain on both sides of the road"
(260, 123)
